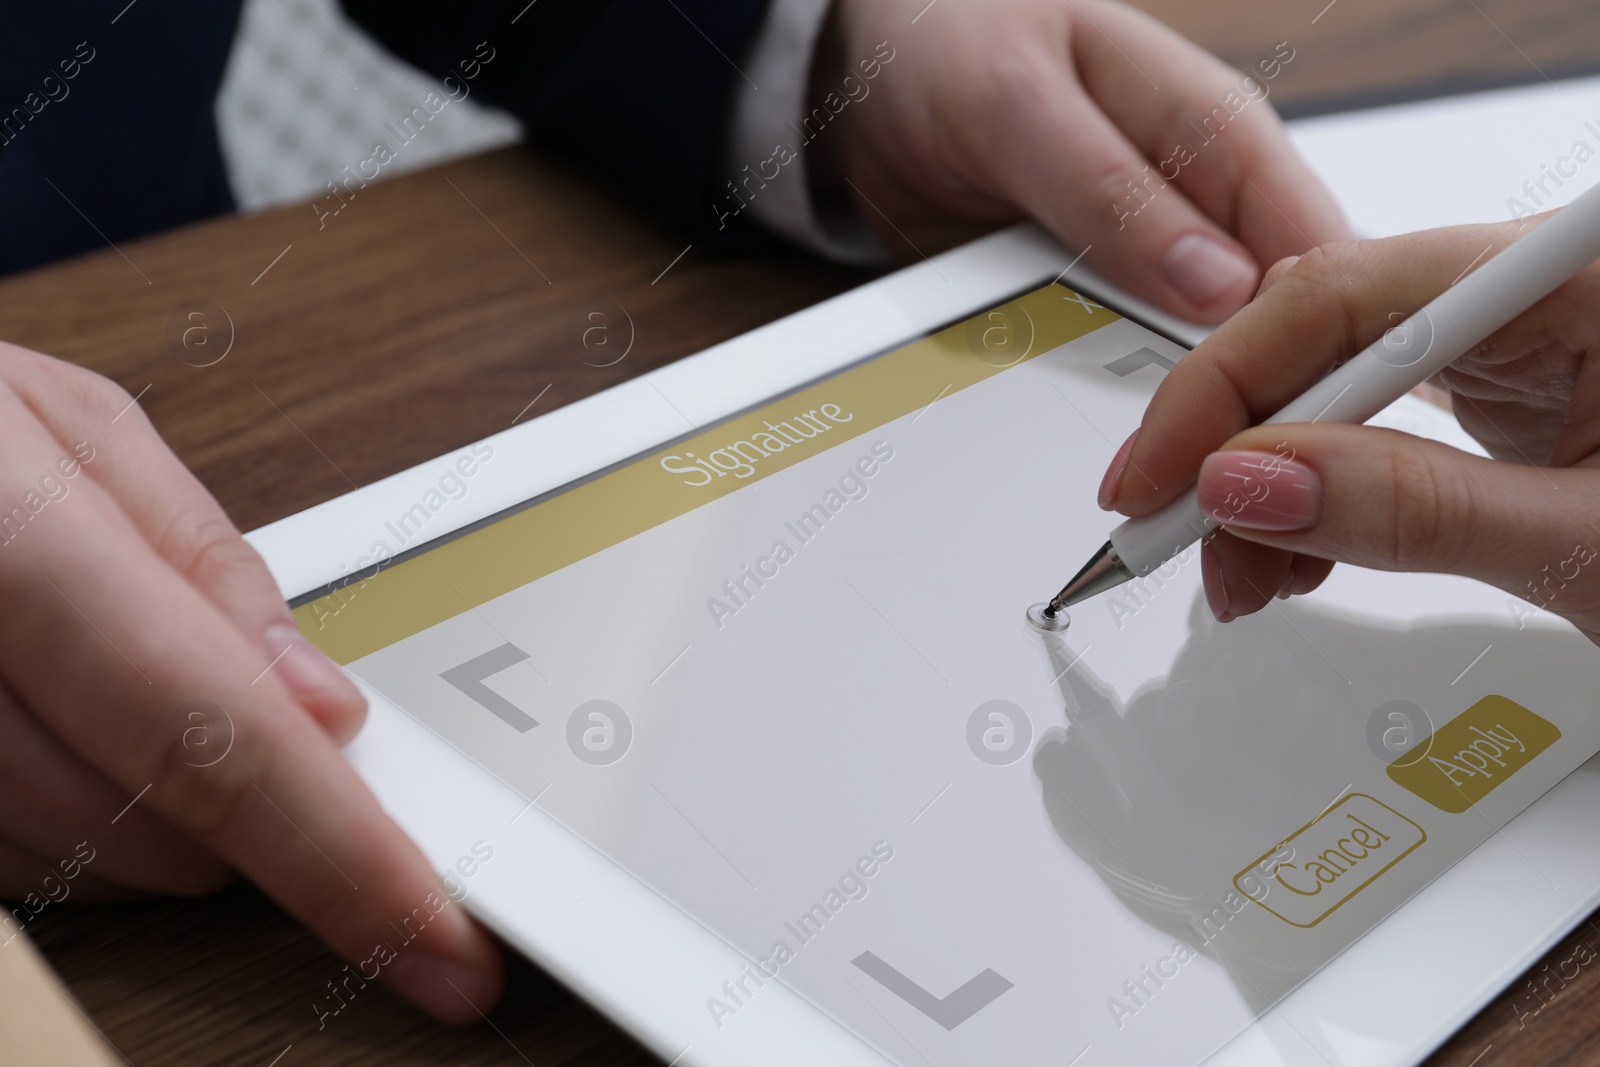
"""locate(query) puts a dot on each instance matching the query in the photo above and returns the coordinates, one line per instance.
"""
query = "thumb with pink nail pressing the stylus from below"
(1398, 503)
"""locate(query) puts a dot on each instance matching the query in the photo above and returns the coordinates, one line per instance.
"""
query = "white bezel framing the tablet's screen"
(650, 965)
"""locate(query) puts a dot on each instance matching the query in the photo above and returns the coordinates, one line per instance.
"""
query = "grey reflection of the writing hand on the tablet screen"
(1258, 729)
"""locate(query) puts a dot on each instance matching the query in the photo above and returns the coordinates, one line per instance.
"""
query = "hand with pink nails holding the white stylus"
(1298, 498)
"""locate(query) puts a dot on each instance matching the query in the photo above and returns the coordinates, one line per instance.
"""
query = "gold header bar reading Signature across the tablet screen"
(374, 610)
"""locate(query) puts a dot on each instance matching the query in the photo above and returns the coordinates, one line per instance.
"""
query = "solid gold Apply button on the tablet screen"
(1474, 753)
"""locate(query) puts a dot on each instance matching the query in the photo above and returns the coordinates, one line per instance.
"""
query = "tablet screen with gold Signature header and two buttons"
(780, 671)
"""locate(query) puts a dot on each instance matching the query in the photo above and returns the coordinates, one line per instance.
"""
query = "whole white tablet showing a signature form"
(714, 695)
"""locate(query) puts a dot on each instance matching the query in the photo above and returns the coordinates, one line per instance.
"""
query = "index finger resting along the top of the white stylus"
(1324, 310)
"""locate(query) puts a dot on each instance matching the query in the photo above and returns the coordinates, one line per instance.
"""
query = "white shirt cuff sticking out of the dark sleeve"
(767, 145)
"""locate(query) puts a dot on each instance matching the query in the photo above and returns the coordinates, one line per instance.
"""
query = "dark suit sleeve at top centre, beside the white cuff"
(638, 92)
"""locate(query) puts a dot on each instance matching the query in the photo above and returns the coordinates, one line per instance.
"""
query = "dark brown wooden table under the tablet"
(436, 310)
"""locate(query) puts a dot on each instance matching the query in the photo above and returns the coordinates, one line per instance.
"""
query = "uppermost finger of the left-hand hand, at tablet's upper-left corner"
(106, 436)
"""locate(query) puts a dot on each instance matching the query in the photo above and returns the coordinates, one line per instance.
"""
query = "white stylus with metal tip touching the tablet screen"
(1407, 356)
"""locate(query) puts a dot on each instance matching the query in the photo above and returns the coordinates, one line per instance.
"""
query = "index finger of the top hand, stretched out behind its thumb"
(1210, 130)
